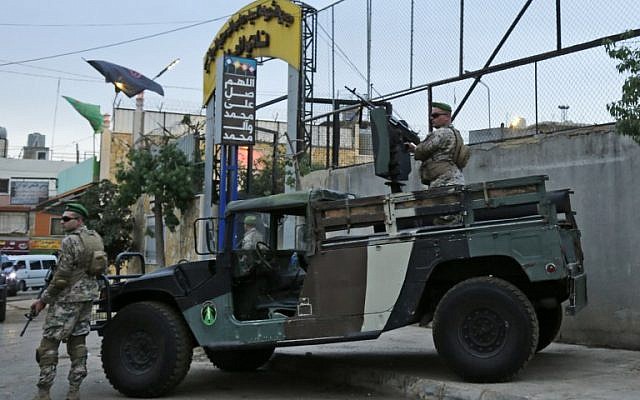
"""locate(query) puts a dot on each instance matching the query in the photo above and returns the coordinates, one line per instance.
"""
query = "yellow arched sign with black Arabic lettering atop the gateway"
(261, 29)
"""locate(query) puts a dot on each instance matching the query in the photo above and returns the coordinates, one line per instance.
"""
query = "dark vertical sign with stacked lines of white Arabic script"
(236, 101)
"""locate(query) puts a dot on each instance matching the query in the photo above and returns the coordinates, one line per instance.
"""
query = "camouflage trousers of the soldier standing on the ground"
(70, 323)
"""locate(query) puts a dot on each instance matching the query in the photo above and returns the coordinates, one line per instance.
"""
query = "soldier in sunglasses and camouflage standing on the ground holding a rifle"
(69, 296)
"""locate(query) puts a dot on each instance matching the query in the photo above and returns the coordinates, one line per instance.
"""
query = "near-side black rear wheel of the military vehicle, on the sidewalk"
(486, 329)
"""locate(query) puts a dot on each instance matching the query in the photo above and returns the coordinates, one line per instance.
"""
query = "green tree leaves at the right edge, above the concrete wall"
(626, 111)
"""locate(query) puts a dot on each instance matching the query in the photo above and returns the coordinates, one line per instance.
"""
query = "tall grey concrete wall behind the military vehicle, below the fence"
(601, 167)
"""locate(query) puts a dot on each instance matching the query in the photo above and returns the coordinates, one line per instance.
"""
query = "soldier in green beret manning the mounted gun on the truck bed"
(443, 153)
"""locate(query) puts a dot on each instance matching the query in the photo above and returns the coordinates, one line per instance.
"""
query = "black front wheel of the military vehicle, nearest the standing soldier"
(146, 350)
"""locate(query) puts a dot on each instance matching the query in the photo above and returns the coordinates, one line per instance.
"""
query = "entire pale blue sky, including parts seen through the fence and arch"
(30, 91)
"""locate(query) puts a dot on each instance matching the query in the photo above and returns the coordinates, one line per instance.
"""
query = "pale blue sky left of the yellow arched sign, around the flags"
(29, 97)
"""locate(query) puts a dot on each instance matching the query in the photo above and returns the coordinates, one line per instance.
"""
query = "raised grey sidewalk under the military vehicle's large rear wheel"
(405, 362)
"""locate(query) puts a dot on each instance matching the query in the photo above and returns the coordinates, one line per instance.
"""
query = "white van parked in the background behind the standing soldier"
(27, 272)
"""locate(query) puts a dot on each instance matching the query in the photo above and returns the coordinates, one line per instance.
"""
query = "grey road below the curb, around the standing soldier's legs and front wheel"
(19, 372)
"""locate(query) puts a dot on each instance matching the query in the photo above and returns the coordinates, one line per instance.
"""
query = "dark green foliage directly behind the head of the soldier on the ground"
(114, 223)
